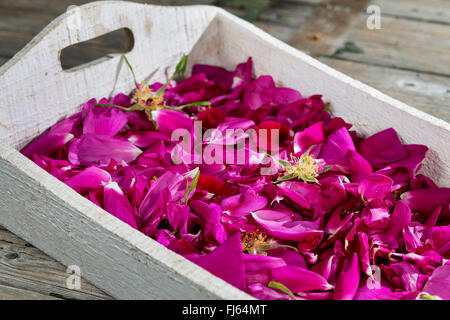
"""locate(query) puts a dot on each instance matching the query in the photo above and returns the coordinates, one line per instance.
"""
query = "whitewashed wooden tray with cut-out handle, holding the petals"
(35, 93)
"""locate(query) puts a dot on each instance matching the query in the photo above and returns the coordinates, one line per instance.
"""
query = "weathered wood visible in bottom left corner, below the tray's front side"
(25, 267)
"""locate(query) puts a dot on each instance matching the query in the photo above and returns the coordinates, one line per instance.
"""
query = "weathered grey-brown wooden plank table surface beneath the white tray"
(408, 59)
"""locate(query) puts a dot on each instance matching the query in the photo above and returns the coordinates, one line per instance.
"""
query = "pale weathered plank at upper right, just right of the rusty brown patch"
(418, 46)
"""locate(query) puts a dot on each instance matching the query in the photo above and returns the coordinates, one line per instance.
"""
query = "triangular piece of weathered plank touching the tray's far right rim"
(428, 93)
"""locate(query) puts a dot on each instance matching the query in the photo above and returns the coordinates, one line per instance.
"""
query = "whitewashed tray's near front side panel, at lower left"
(112, 255)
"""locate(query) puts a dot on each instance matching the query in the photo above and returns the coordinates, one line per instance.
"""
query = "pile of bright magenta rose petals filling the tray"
(371, 228)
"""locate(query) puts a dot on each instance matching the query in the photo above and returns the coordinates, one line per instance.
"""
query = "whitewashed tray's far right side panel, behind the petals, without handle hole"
(367, 109)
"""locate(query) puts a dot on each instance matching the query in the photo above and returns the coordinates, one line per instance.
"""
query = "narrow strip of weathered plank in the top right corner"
(426, 10)
